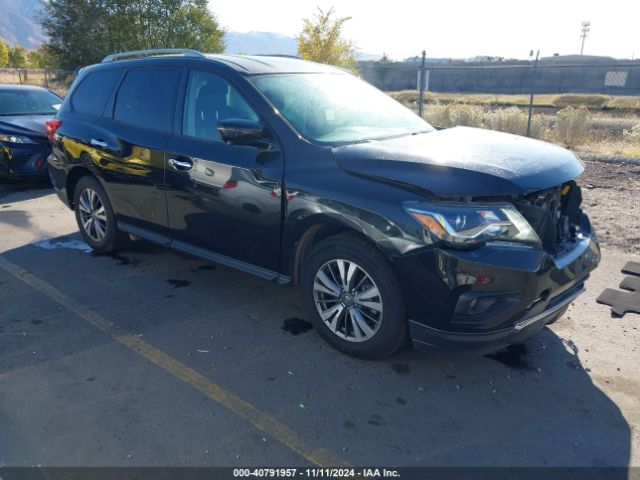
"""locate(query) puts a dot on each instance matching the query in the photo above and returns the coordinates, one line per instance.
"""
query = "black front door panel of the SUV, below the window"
(229, 202)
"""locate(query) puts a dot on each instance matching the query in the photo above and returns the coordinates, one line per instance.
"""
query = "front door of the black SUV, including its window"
(222, 198)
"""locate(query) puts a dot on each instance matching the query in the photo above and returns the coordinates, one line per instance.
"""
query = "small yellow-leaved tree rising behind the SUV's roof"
(321, 40)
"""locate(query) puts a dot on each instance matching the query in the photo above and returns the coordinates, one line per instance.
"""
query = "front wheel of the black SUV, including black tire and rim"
(352, 296)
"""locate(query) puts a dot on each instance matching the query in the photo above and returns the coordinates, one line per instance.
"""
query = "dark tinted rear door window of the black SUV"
(145, 98)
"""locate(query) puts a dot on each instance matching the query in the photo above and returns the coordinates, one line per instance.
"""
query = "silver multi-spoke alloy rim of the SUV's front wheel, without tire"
(348, 300)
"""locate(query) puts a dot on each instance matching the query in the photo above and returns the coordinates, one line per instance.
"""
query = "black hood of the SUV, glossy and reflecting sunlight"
(463, 162)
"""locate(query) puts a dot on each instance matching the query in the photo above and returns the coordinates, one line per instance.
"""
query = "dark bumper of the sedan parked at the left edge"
(24, 161)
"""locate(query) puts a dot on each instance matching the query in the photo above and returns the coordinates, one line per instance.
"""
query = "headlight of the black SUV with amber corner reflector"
(468, 225)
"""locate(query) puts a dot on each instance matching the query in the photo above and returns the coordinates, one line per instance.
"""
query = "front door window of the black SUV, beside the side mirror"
(210, 99)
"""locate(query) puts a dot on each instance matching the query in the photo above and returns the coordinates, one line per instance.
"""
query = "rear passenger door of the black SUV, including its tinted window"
(129, 142)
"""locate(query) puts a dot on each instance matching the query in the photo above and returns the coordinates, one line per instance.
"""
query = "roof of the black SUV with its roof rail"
(243, 64)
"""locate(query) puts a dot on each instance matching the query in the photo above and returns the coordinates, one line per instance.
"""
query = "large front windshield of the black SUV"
(338, 108)
